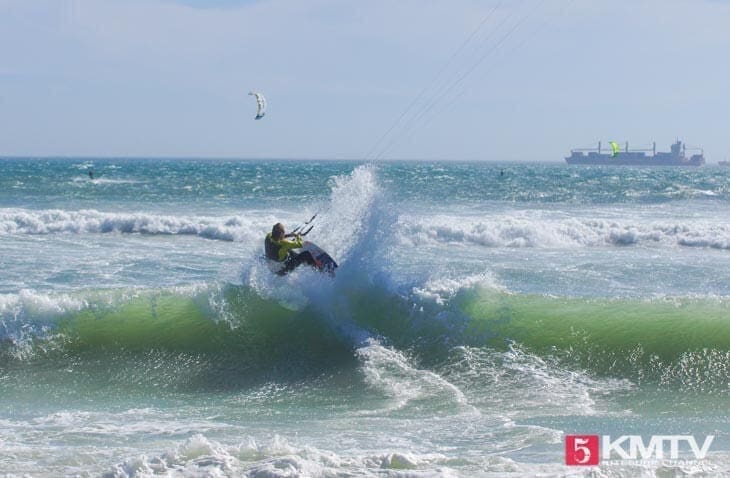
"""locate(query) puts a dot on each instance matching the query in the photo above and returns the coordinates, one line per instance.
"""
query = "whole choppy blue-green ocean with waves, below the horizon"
(482, 314)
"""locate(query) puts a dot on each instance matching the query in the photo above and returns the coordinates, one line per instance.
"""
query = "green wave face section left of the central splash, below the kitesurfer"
(172, 341)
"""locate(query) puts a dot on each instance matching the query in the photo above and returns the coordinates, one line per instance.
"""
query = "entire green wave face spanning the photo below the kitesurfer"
(233, 336)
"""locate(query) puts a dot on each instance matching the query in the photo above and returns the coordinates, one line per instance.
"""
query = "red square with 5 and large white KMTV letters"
(586, 450)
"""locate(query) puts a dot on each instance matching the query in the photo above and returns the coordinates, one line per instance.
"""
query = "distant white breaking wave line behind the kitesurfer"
(492, 232)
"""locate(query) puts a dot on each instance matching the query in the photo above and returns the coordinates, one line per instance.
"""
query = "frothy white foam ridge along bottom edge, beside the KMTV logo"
(278, 458)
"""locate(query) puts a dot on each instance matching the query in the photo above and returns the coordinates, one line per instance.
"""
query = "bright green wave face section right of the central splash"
(663, 340)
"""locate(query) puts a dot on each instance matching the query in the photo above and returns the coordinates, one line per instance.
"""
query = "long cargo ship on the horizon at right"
(636, 157)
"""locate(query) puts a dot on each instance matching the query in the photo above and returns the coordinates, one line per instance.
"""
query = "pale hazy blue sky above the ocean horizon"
(171, 78)
